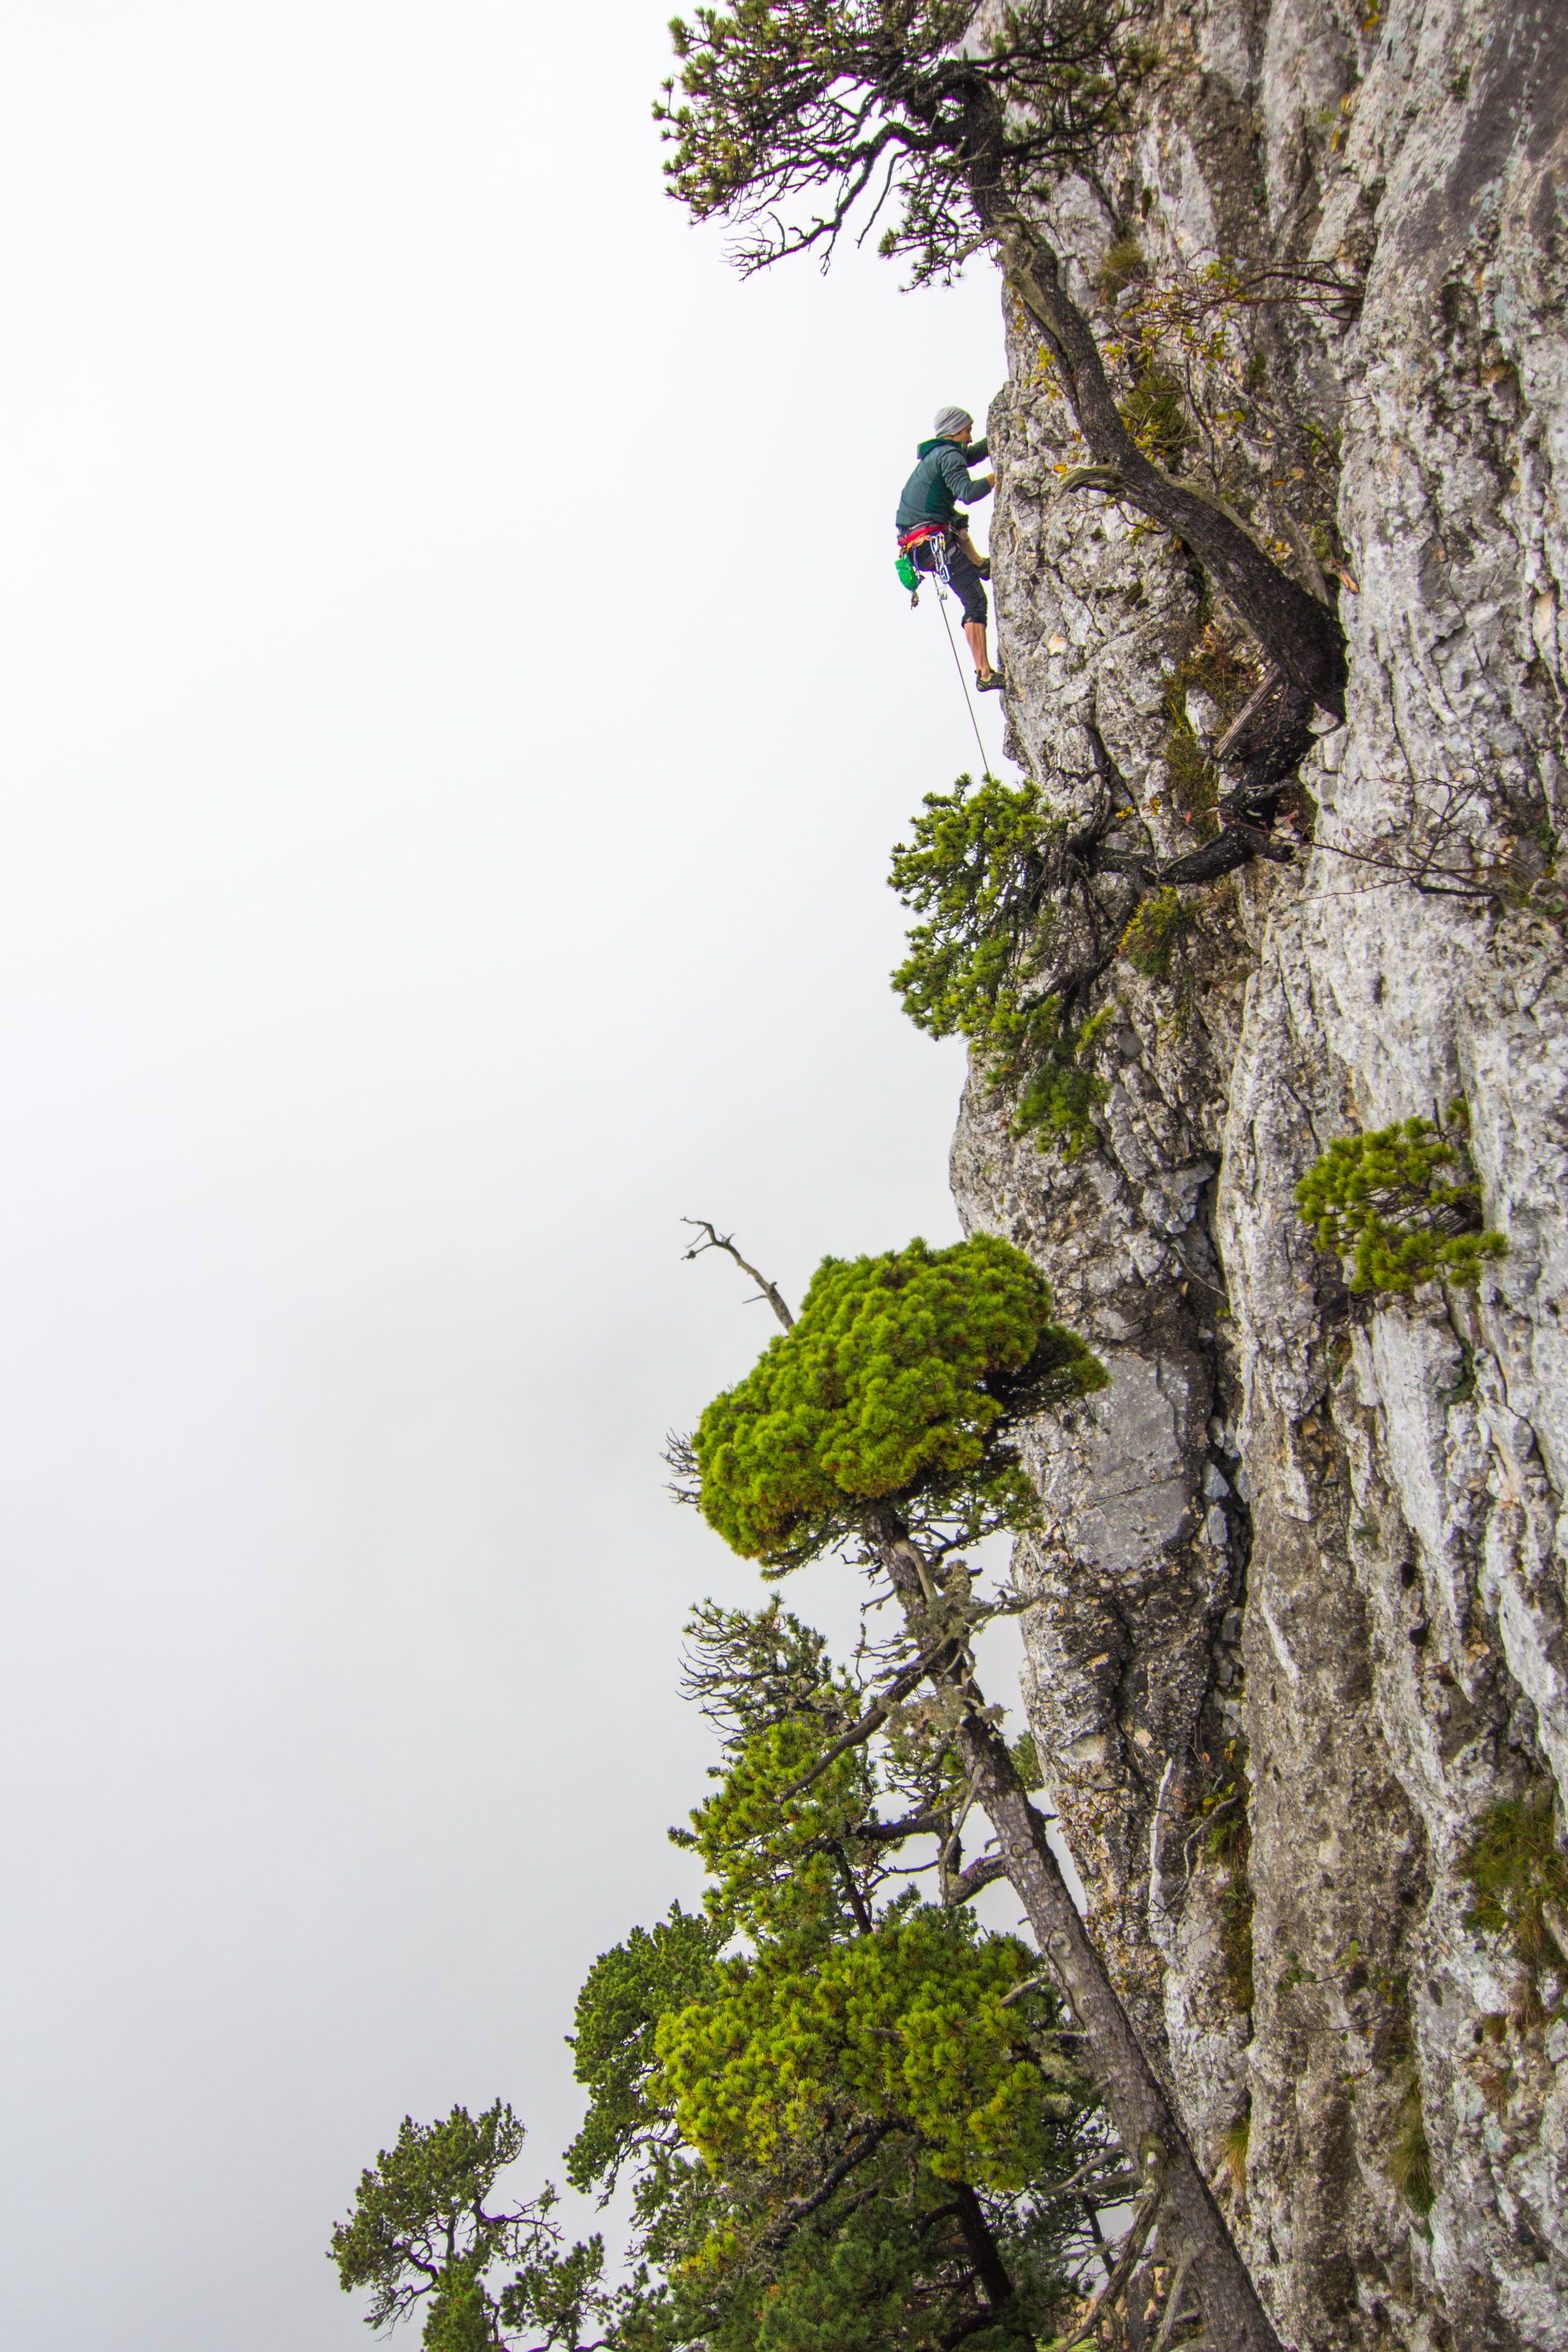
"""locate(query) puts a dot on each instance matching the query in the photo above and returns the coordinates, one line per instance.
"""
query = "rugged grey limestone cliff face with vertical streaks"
(1304, 1572)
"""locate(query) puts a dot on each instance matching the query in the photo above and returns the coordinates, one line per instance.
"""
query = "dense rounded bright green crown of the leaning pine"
(899, 1384)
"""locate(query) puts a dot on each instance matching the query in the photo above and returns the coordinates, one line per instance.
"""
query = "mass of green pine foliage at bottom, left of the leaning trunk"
(845, 2111)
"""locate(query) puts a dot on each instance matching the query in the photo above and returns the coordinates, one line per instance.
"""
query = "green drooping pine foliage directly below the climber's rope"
(977, 871)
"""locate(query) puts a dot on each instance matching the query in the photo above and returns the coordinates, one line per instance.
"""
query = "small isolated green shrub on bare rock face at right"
(1400, 1208)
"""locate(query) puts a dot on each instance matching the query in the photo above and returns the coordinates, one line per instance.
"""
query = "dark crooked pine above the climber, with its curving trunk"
(803, 121)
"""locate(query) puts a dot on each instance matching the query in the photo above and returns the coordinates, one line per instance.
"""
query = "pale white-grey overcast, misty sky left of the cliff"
(457, 714)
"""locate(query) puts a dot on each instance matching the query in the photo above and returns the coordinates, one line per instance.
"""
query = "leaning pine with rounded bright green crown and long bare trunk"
(885, 1422)
